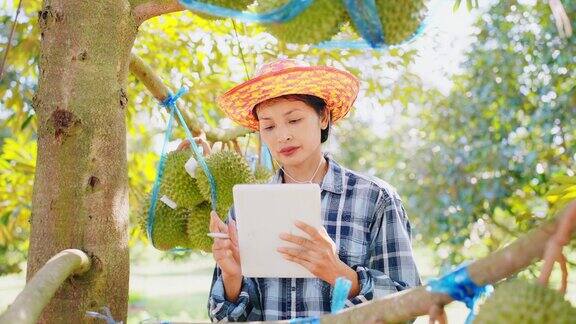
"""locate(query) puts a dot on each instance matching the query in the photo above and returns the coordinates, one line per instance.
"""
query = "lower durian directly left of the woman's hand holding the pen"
(199, 226)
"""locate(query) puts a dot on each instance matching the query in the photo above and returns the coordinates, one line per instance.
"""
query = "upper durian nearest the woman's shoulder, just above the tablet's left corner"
(228, 169)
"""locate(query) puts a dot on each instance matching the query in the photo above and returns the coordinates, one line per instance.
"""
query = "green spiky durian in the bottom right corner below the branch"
(520, 301)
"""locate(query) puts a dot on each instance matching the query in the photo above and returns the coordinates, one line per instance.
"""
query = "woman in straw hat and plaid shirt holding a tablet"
(366, 234)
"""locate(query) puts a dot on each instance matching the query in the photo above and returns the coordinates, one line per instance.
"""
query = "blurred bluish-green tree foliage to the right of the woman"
(475, 166)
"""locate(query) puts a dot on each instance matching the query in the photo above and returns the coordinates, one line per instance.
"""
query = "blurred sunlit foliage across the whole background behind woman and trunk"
(474, 167)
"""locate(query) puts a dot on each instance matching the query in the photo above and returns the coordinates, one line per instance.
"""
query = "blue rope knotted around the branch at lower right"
(460, 287)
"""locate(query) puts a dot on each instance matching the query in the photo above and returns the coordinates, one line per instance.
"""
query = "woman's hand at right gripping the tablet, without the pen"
(317, 253)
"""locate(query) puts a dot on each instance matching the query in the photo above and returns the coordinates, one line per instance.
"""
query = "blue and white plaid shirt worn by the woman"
(365, 218)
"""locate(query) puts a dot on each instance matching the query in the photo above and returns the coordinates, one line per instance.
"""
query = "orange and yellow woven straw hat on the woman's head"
(338, 88)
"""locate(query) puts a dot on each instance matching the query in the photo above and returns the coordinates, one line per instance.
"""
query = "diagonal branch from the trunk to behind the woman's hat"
(160, 91)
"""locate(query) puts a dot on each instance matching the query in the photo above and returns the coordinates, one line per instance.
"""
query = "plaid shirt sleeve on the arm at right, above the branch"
(391, 266)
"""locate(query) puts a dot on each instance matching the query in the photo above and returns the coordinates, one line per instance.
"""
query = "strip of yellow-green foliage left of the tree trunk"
(17, 133)
